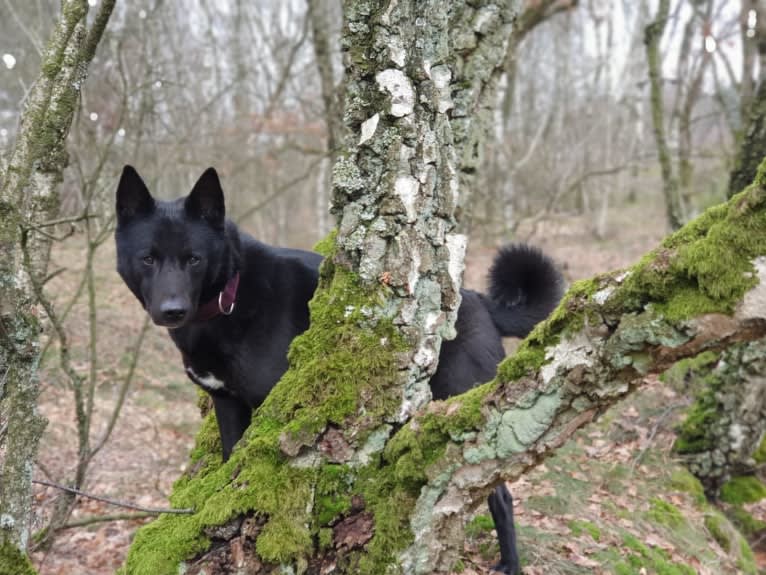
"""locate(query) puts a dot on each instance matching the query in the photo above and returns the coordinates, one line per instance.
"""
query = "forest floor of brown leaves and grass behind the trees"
(596, 507)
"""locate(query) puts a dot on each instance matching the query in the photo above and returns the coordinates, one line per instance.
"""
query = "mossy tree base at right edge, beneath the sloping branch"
(724, 428)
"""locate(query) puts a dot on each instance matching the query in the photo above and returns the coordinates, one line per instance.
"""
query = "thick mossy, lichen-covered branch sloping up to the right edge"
(704, 289)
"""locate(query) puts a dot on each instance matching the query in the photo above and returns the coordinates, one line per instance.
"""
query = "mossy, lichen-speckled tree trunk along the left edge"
(28, 200)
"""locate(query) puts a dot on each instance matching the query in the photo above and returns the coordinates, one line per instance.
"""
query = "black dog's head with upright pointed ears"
(172, 255)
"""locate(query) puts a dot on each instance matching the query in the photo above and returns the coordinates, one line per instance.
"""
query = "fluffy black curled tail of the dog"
(524, 287)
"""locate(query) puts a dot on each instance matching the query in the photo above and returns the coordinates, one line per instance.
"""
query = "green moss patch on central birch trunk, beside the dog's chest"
(323, 385)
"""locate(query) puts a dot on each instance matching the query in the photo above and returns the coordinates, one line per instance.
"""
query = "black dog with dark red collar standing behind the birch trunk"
(233, 305)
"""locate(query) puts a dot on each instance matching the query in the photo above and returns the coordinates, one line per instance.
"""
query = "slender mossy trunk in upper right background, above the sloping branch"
(652, 38)
